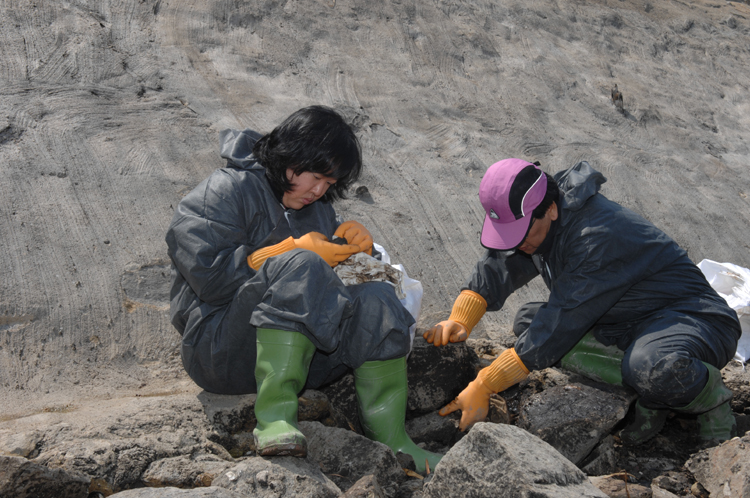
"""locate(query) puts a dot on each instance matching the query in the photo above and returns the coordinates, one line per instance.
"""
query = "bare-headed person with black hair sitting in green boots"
(254, 294)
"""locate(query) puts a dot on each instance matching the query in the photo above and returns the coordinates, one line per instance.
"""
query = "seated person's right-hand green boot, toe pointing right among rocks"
(381, 397)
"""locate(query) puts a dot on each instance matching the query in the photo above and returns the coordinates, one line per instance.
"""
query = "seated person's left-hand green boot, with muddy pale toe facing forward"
(281, 369)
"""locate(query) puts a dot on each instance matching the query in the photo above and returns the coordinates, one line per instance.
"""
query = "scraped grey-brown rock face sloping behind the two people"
(110, 112)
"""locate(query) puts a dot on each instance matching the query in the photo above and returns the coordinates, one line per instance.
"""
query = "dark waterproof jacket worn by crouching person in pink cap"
(607, 270)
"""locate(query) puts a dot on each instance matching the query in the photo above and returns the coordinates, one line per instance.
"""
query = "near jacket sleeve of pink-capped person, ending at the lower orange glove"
(604, 257)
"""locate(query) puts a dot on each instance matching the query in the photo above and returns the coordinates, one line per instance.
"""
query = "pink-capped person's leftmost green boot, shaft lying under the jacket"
(594, 360)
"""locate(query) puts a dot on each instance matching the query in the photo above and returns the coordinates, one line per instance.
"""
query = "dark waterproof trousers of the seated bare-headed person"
(297, 291)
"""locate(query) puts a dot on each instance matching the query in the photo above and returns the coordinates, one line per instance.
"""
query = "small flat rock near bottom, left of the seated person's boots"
(186, 471)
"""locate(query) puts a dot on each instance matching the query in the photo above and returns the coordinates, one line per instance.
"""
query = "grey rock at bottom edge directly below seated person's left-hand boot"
(277, 477)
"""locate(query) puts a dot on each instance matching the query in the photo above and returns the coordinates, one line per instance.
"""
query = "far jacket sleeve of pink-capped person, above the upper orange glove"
(498, 274)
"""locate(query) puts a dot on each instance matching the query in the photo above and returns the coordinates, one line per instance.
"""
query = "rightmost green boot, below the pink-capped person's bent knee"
(715, 418)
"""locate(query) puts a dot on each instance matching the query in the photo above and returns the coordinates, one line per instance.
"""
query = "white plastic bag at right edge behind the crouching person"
(732, 282)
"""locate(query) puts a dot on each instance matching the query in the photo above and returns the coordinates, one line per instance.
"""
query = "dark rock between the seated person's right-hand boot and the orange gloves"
(437, 375)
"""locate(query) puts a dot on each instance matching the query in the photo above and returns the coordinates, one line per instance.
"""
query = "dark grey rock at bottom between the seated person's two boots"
(346, 457)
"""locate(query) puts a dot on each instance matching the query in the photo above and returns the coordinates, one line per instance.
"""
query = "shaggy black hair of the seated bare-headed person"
(314, 139)
